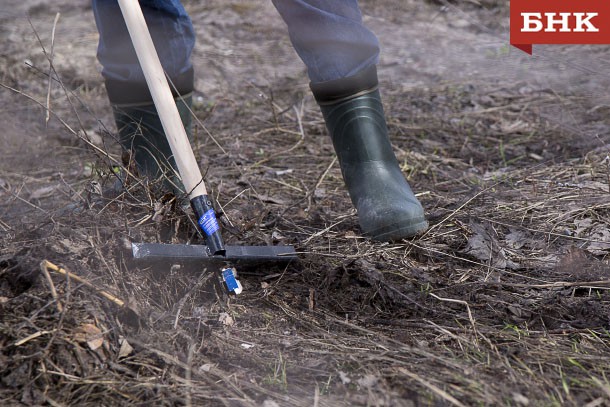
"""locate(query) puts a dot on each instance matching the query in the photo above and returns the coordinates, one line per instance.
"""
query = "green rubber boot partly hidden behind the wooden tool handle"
(141, 133)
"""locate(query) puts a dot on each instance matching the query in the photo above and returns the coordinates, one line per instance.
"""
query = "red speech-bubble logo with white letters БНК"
(559, 22)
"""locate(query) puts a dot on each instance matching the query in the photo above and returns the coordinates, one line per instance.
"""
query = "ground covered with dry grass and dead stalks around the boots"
(504, 301)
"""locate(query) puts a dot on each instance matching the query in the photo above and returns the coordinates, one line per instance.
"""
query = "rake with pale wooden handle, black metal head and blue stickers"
(214, 250)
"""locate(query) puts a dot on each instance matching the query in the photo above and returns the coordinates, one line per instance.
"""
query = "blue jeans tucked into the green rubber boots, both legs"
(328, 35)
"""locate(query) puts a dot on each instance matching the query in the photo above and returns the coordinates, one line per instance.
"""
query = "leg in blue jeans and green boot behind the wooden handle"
(140, 129)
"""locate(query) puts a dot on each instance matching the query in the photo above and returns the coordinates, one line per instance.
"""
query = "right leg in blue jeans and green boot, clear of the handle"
(341, 56)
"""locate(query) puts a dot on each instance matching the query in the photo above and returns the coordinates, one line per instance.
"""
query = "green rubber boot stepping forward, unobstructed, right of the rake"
(352, 109)
